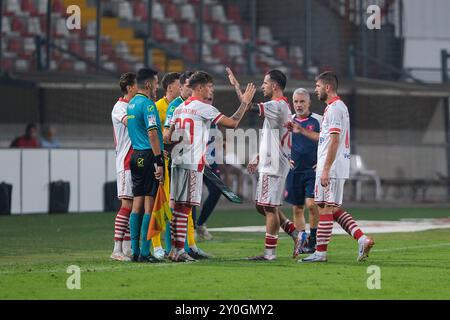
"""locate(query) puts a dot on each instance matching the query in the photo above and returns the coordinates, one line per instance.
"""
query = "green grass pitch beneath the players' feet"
(36, 250)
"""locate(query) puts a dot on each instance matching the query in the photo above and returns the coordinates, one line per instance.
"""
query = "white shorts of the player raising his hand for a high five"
(270, 190)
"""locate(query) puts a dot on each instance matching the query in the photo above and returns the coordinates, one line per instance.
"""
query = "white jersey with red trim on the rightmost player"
(336, 120)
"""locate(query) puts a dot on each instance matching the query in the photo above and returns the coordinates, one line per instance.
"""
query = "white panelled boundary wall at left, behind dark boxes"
(31, 170)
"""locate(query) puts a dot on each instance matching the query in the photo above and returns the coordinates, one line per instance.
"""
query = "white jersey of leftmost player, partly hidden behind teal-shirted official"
(122, 141)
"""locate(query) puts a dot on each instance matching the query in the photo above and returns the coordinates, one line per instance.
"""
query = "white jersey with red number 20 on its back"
(192, 119)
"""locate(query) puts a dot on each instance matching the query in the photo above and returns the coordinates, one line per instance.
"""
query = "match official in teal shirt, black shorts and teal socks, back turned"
(144, 129)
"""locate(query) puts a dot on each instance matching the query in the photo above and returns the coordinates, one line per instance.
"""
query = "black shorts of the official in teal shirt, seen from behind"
(143, 173)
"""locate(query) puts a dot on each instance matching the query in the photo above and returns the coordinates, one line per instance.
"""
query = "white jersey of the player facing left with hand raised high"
(275, 139)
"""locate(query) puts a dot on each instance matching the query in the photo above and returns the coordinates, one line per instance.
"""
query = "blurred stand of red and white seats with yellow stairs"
(123, 28)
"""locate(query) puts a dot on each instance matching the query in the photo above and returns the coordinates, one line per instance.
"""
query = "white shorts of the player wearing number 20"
(186, 186)
